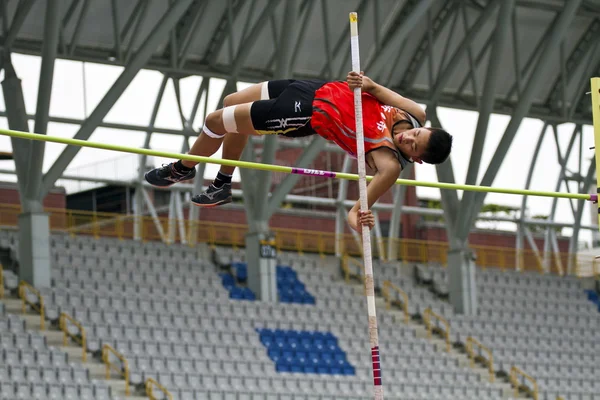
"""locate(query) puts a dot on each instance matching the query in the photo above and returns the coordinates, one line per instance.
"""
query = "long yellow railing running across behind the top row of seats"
(97, 224)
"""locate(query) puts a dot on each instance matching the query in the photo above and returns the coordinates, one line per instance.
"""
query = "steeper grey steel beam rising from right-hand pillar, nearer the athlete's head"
(487, 102)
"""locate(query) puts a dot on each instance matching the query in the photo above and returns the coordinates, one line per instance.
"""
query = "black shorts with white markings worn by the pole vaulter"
(288, 110)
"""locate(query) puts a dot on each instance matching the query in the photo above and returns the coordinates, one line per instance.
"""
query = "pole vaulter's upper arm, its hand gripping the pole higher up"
(386, 96)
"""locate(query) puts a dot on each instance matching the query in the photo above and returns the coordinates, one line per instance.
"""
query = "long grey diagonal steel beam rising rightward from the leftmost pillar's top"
(158, 34)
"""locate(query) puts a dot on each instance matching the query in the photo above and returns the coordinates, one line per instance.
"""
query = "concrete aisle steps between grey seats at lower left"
(55, 338)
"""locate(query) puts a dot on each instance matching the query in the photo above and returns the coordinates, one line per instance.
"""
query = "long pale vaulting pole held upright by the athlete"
(364, 206)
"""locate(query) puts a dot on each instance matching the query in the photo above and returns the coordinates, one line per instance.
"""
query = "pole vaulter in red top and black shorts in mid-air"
(393, 125)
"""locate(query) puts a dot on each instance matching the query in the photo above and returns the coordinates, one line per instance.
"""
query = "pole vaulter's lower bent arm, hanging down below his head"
(388, 170)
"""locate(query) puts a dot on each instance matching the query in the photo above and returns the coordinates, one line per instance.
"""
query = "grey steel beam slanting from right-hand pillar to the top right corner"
(521, 111)
